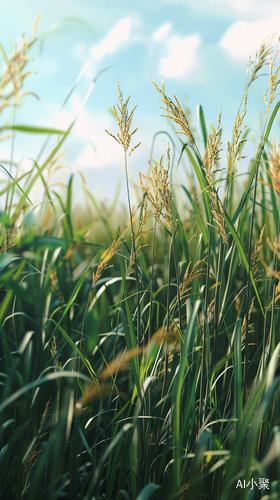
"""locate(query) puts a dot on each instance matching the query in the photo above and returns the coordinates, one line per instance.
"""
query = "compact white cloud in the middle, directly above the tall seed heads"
(181, 58)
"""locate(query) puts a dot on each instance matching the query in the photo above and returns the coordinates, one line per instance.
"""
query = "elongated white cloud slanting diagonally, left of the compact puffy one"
(116, 37)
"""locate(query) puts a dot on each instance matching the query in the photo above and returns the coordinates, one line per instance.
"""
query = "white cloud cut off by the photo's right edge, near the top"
(243, 38)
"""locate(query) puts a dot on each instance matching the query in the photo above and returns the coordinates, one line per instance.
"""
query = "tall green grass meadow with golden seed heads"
(139, 359)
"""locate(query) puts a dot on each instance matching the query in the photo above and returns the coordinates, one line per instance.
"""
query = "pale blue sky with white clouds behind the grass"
(199, 48)
